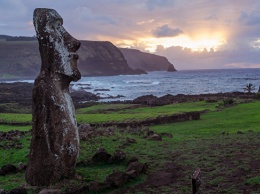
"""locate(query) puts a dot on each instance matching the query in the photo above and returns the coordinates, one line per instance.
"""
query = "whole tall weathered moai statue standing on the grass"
(55, 141)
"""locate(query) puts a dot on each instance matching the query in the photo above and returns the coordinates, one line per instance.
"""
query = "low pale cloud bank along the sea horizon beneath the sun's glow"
(185, 58)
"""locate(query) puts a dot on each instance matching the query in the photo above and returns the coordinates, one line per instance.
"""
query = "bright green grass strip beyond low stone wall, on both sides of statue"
(111, 112)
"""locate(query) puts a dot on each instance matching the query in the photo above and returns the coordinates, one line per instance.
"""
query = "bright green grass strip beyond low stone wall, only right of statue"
(100, 114)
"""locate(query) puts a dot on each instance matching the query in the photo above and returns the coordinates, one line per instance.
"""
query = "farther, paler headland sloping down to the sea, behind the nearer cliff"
(146, 61)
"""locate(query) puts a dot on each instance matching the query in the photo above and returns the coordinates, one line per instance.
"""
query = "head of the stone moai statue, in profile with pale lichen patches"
(59, 53)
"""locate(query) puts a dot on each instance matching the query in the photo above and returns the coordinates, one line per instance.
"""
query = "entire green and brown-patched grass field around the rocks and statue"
(224, 144)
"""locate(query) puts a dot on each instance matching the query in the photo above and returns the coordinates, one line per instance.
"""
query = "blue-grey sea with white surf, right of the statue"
(162, 83)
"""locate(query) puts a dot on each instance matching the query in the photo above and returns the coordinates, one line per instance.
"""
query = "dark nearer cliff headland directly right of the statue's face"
(98, 58)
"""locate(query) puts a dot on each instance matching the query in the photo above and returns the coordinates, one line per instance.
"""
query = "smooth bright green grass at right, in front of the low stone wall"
(242, 117)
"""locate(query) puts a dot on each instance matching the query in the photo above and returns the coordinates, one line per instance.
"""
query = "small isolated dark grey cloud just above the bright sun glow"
(166, 31)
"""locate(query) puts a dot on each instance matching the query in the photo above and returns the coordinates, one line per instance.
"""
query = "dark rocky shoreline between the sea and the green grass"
(21, 93)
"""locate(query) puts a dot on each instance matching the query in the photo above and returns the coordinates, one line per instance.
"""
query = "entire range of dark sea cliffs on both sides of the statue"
(21, 59)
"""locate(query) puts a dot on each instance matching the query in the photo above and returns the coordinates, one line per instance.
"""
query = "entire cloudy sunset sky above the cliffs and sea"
(198, 34)
